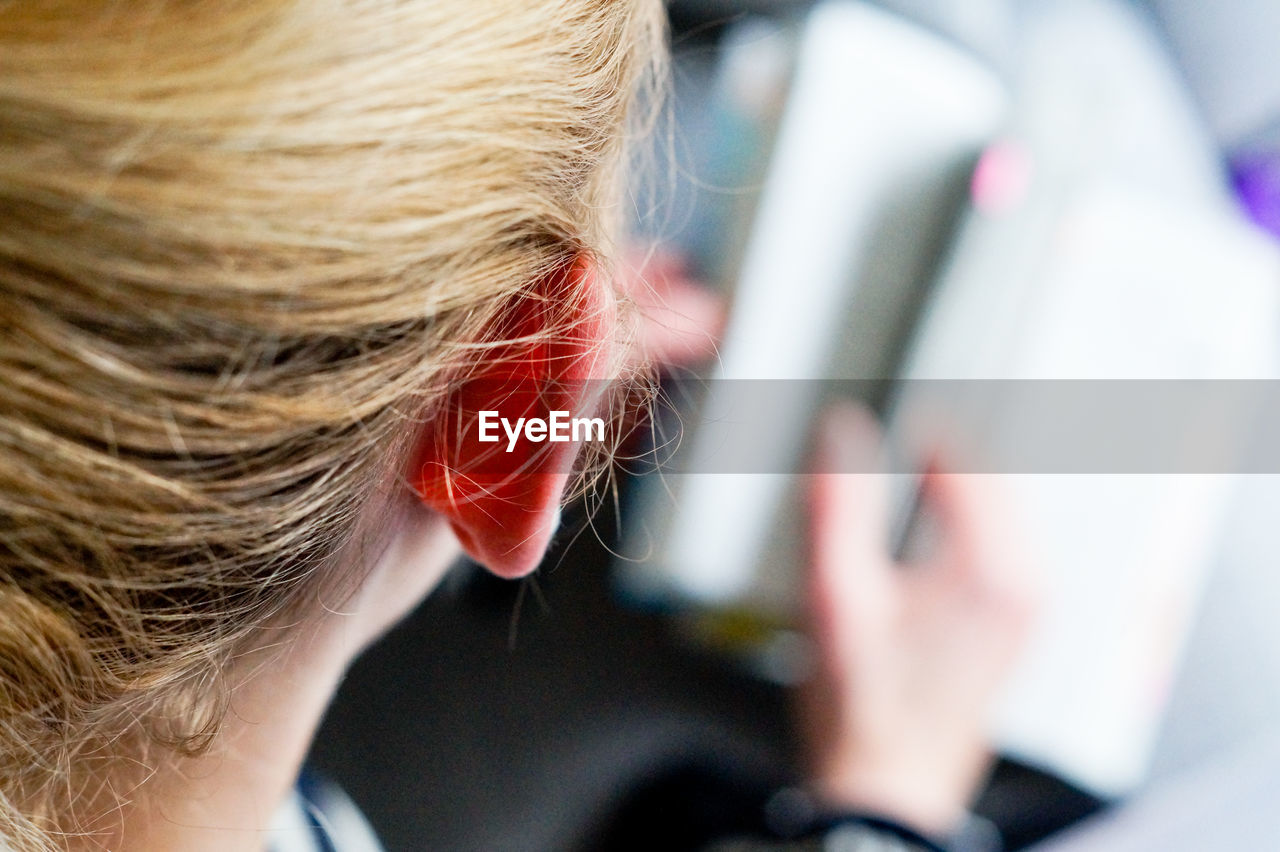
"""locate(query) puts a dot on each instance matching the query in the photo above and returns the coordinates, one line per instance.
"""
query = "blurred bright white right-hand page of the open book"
(1132, 288)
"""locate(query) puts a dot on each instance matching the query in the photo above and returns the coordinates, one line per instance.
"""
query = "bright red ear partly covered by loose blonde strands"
(502, 496)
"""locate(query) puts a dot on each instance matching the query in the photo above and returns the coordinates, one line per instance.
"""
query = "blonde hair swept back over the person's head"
(244, 245)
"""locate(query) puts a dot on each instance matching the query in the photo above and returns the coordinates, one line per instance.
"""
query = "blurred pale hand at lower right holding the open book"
(908, 657)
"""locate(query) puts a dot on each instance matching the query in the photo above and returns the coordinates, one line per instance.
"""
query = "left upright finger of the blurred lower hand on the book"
(849, 575)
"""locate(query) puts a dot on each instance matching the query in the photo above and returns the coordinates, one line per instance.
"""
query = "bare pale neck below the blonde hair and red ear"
(225, 800)
